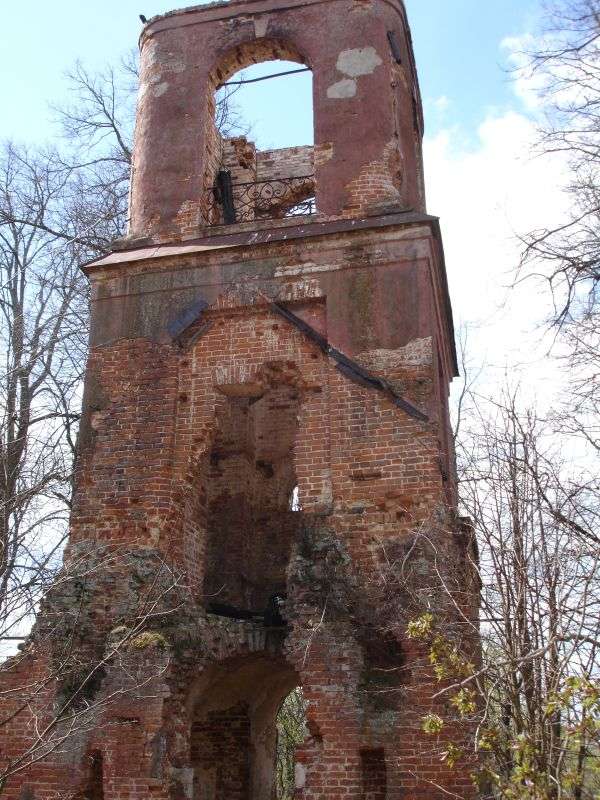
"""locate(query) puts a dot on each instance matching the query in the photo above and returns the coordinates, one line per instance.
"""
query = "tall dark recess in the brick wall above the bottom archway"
(249, 479)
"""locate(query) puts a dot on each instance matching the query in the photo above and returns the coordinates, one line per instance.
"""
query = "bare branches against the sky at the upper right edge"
(567, 65)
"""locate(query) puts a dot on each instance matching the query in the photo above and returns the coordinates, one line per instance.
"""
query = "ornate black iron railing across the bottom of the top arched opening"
(228, 203)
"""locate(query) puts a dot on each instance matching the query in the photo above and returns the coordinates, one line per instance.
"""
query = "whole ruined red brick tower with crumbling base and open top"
(265, 442)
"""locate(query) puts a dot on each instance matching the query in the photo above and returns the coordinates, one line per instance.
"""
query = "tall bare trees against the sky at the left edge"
(43, 313)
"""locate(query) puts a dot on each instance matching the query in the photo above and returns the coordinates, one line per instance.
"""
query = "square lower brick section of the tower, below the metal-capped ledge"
(194, 436)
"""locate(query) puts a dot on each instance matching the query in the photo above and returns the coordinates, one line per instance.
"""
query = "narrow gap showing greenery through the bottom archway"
(292, 730)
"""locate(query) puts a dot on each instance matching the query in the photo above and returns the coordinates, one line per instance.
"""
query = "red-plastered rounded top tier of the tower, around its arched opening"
(366, 106)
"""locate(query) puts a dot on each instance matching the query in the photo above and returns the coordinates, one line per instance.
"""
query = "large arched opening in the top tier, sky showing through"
(260, 162)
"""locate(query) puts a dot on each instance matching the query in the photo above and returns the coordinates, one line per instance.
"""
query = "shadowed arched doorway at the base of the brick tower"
(233, 726)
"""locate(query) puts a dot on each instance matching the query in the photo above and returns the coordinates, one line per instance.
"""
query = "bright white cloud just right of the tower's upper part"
(486, 195)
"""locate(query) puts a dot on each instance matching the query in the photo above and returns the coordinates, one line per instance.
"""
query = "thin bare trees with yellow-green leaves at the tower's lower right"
(533, 700)
